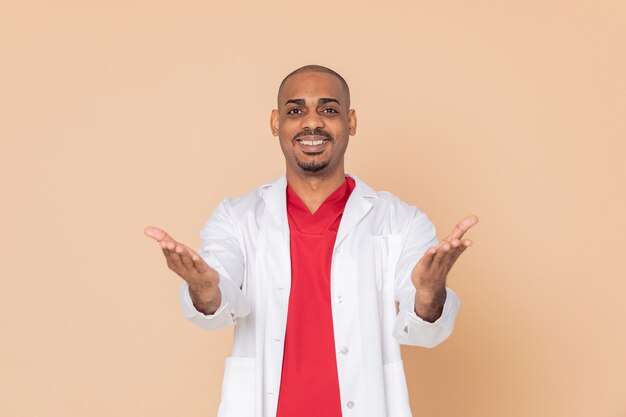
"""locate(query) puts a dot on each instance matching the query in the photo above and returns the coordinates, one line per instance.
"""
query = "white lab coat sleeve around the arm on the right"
(409, 328)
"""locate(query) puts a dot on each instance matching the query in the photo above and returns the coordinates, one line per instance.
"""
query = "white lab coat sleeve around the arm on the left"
(222, 249)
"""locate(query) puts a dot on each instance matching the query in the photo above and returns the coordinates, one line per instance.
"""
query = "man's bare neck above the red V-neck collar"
(314, 189)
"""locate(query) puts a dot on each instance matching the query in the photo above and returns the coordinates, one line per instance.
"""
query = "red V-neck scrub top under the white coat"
(309, 384)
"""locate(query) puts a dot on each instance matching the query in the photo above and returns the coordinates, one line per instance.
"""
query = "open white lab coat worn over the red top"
(379, 240)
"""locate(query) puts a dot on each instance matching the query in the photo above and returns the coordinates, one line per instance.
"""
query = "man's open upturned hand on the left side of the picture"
(202, 279)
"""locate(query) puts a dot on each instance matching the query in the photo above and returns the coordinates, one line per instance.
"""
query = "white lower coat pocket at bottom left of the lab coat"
(238, 393)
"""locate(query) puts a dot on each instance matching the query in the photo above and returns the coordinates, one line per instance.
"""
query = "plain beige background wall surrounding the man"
(117, 115)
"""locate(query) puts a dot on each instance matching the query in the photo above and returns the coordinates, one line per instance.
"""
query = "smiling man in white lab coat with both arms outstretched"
(310, 267)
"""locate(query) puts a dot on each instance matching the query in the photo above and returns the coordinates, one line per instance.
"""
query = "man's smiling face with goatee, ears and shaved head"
(313, 122)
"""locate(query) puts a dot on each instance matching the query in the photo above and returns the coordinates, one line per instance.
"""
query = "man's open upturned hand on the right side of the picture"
(430, 273)
